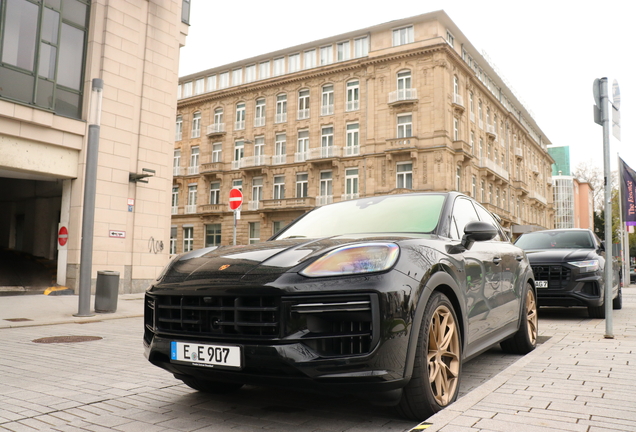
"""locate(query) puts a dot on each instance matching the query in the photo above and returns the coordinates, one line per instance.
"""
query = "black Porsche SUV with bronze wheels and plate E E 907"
(382, 297)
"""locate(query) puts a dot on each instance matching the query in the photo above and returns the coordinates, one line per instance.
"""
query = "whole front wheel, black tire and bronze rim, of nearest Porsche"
(434, 383)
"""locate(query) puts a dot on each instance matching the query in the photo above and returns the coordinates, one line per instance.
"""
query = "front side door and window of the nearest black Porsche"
(480, 272)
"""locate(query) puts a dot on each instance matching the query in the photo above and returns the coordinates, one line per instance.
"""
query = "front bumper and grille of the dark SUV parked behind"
(566, 286)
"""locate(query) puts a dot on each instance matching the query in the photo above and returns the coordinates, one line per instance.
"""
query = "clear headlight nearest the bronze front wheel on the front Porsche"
(353, 259)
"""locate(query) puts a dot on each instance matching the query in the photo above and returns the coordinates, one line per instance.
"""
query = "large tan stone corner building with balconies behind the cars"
(409, 105)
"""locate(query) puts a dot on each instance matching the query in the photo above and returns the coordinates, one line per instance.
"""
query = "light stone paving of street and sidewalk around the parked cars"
(575, 381)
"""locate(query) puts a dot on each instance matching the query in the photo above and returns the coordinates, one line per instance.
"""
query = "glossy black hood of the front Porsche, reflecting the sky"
(267, 258)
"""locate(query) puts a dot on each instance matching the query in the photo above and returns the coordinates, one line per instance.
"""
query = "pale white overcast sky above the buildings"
(549, 51)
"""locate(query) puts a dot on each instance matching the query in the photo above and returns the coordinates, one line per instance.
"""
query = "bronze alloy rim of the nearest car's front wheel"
(443, 355)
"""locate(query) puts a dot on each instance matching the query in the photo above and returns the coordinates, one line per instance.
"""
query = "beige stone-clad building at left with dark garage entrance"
(51, 51)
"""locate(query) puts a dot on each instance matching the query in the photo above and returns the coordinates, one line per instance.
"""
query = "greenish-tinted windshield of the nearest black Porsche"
(394, 214)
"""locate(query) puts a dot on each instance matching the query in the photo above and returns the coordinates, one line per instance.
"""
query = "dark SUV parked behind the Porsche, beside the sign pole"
(569, 269)
